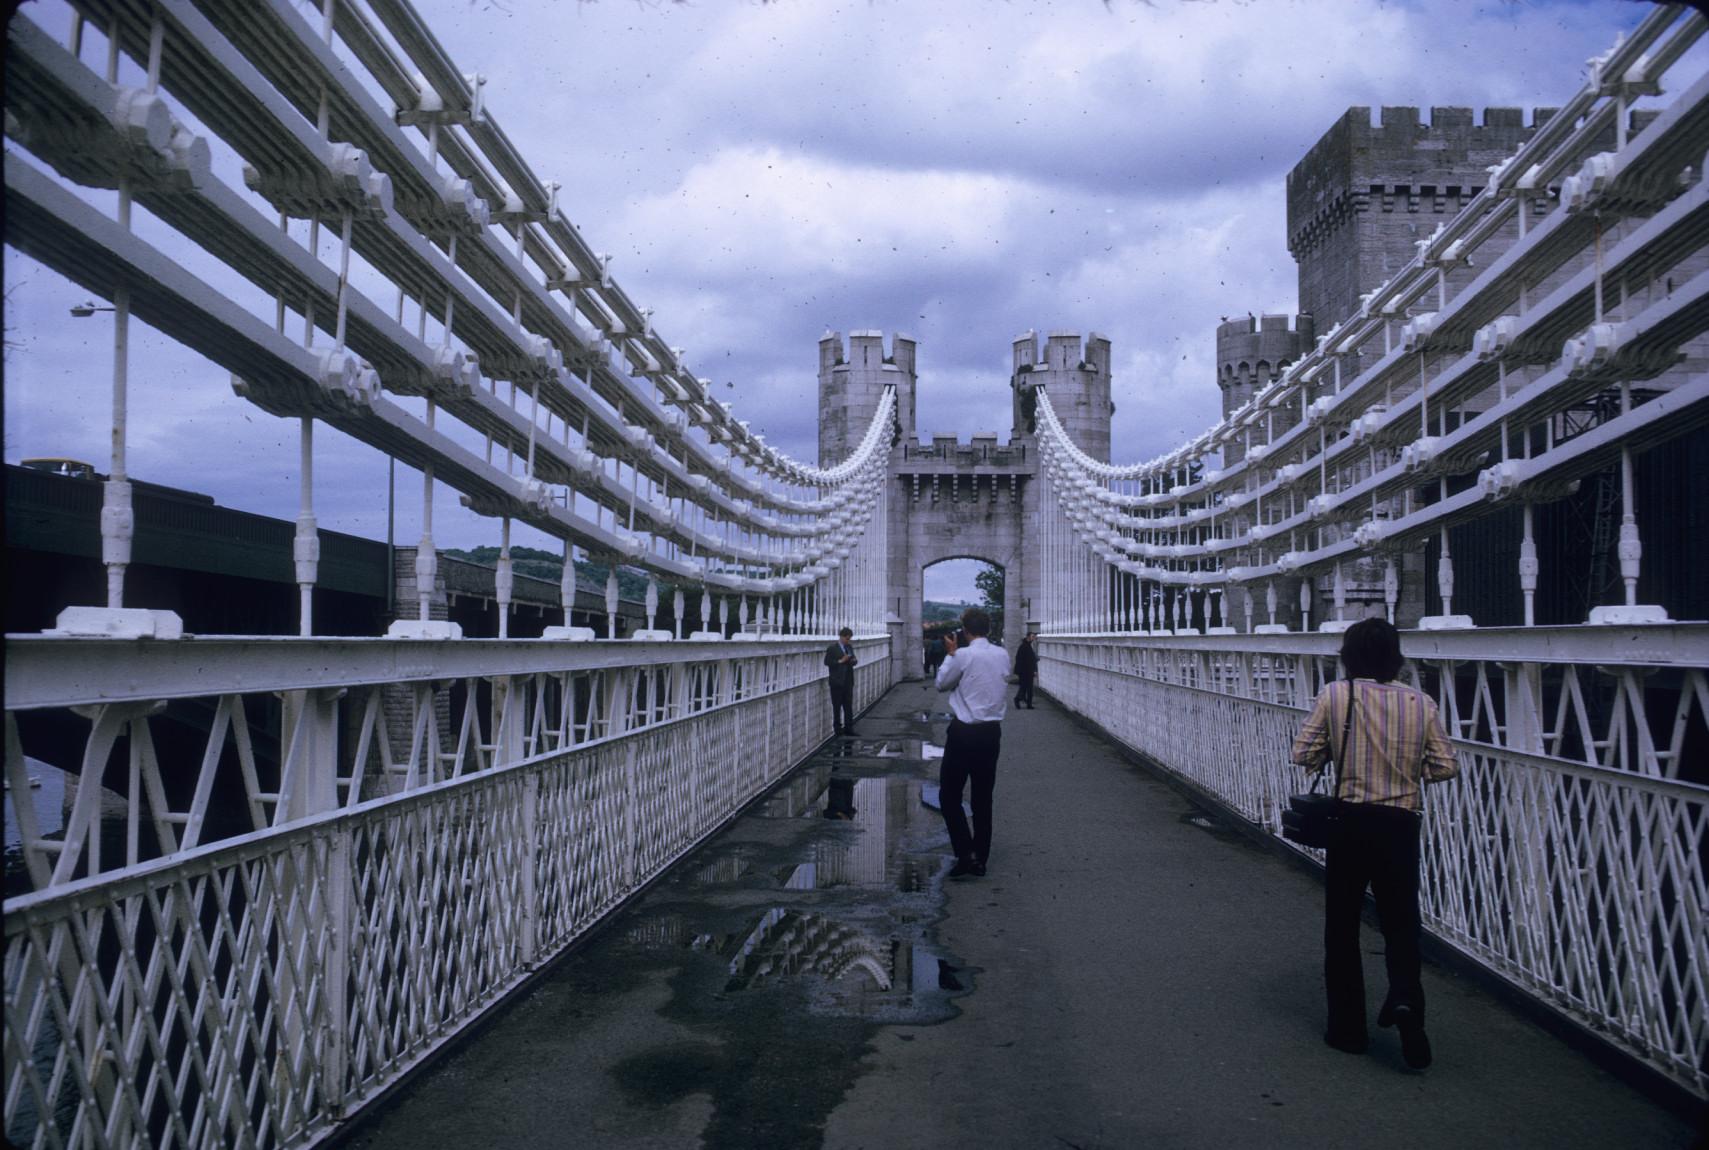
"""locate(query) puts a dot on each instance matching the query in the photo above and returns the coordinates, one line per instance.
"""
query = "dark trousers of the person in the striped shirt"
(1375, 847)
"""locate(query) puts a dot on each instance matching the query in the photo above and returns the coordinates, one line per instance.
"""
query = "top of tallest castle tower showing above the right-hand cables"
(1365, 196)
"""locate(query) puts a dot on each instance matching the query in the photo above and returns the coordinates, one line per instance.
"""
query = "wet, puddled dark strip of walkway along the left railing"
(784, 946)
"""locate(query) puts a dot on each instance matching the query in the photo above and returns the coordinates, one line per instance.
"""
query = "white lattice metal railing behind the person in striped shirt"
(1568, 857)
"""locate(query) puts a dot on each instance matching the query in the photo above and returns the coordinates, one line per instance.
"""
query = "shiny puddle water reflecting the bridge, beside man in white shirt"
(849, 823)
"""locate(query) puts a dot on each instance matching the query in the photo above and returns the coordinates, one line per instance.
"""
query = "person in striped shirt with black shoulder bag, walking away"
(1390, 744)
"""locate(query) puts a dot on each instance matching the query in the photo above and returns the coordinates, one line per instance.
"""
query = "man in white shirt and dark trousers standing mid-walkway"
(977, 679)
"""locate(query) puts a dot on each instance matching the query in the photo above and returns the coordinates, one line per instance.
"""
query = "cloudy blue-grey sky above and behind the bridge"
(956, 170)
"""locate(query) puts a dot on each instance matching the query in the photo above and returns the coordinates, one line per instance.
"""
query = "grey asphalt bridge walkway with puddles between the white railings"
(1131, 973)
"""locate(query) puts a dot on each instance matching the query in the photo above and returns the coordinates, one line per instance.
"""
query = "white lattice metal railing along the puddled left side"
(367, 903)
